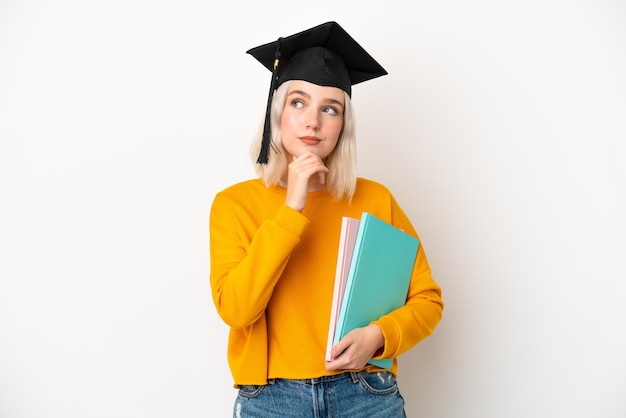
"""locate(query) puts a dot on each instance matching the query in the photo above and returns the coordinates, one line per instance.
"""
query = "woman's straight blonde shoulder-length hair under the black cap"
(341, 163)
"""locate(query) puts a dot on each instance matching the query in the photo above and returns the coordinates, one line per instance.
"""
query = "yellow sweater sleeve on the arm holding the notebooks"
(417, 319)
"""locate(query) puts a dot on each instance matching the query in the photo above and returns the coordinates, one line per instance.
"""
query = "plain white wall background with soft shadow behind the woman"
(500, 129)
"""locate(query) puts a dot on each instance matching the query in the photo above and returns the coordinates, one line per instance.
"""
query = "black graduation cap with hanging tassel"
(325, 55)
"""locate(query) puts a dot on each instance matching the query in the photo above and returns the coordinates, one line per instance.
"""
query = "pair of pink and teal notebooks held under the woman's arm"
(374, 267)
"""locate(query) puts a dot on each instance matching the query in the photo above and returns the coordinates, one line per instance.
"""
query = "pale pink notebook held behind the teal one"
(347, 238)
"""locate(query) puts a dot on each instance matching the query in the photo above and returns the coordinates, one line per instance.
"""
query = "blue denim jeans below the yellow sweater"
(348, 394)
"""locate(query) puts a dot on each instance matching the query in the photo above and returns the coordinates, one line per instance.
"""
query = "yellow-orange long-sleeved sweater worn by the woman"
(272, 278)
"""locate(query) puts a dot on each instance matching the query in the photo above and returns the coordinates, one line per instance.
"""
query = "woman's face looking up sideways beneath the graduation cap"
(312, 119)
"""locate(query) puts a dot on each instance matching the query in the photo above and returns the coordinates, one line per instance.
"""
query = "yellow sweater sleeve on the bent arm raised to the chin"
(246, 260)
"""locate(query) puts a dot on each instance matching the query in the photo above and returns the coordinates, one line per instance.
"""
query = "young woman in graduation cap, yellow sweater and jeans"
(274, 244)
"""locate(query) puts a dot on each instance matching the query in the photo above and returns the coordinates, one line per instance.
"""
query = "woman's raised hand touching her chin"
(301, 172)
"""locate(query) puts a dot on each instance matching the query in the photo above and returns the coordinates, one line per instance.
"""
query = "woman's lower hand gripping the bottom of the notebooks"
(356, 348)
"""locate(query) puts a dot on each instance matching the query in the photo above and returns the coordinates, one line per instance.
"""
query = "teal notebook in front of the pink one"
(378, 278)
